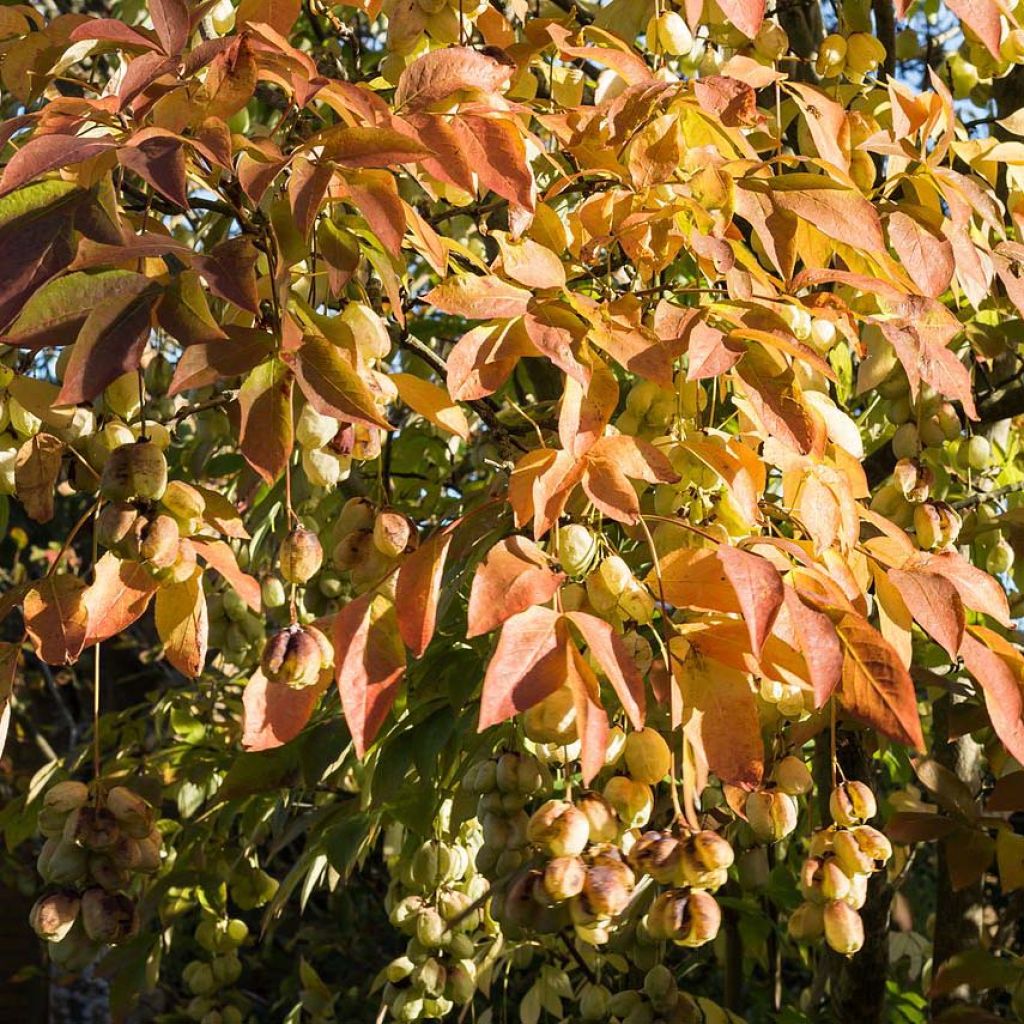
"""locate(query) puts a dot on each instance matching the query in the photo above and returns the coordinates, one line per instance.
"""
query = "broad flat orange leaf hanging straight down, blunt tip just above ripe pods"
(721, 718)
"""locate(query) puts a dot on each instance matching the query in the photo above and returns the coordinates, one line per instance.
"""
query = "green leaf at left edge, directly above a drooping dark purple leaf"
(57, 313)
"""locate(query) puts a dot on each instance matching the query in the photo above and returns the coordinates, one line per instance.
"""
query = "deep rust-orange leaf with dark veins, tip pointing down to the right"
(877, 689)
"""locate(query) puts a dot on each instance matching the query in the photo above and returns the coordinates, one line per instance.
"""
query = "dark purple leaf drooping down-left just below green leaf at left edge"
(111, 344)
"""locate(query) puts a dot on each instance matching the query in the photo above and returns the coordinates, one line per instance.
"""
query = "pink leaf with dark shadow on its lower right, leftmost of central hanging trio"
(529, 665)
